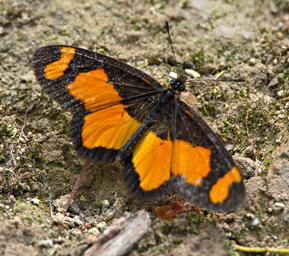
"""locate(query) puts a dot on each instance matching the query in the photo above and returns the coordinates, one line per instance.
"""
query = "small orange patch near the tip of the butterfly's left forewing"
(56, 69)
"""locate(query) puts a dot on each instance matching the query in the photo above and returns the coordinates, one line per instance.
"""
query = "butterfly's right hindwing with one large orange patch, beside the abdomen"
(147, 170)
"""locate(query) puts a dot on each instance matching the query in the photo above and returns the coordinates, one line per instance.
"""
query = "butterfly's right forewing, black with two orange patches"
(203, 171)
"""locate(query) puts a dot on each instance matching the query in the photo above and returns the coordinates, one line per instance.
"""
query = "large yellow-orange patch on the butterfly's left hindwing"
(109, 128)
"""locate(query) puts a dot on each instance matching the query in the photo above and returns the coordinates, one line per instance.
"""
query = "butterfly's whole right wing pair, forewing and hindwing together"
(190, 158)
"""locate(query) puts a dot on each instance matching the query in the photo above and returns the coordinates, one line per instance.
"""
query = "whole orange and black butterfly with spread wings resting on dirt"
(121, 113)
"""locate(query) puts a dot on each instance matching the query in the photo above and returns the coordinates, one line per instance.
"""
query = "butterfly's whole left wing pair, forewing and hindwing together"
(109, 99)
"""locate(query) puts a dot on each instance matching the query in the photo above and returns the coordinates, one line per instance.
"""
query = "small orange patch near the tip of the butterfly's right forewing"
(220, 190)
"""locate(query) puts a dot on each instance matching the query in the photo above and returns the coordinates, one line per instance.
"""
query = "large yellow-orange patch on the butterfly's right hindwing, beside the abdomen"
(152, 161)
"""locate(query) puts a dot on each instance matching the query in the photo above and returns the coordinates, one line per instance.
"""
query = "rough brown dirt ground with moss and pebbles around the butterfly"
(235, 39)
